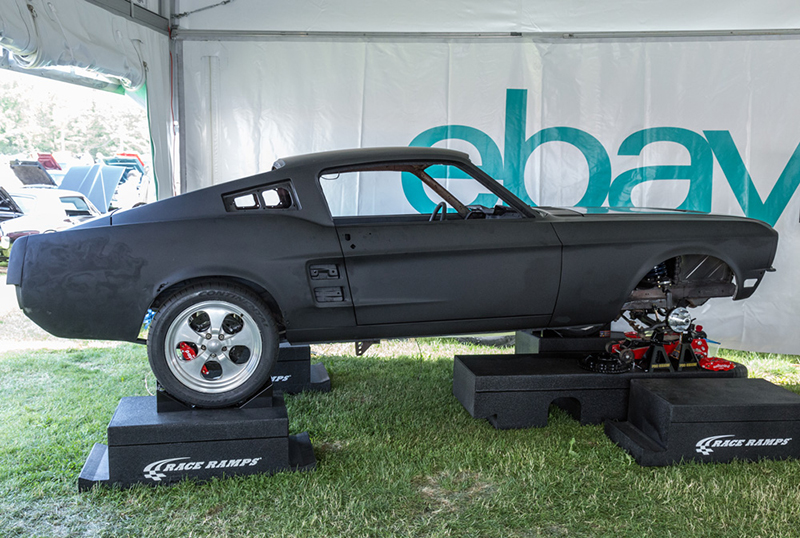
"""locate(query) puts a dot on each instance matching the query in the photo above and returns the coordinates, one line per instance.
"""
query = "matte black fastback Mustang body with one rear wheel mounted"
(232, 269)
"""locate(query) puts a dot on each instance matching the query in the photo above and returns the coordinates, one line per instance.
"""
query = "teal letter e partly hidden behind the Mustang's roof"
(491, 163)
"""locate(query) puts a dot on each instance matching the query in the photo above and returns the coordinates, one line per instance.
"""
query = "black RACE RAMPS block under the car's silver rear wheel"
(161, 443)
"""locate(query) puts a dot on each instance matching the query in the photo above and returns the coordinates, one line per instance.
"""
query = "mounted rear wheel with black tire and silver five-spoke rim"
(213, 345)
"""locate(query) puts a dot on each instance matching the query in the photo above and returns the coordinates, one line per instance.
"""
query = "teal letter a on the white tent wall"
(699, 172)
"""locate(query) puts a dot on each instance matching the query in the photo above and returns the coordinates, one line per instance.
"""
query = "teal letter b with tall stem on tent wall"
(518, 151)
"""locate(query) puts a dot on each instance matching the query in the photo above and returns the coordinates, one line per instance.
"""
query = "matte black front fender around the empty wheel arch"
(606, 256)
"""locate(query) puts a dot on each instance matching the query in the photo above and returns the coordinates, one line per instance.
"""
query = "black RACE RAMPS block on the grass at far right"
(708, 420)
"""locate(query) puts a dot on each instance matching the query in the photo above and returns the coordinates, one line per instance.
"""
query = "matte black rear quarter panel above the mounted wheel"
(99, 282)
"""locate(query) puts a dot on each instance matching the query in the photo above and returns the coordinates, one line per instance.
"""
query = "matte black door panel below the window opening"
(454, 269)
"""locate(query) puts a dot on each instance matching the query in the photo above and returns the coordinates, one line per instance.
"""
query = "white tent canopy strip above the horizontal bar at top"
(466, 16)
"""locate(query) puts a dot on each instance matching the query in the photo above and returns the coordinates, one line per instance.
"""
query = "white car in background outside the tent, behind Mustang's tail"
(35, 210)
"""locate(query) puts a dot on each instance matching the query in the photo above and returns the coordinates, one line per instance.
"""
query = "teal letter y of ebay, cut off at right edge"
(742, 184)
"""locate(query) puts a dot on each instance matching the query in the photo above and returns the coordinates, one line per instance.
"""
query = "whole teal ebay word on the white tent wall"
(509, 166)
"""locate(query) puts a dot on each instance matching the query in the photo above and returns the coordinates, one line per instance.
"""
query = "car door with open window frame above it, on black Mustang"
(409, 260)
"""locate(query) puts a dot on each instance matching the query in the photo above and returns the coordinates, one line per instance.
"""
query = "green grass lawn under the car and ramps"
(397, 455)
